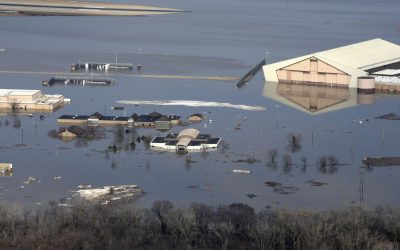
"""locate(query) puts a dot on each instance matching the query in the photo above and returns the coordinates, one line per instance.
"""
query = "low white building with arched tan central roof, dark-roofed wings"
(187, 140)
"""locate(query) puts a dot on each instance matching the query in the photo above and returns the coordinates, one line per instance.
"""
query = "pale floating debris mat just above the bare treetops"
(109, 193)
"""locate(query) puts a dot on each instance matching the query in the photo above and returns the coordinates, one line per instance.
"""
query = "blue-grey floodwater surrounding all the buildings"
(223, 38)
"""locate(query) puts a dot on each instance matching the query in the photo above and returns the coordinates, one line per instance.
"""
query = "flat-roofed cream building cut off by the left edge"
(34, 100)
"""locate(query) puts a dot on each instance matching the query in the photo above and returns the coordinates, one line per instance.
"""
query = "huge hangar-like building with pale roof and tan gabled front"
(340, 67)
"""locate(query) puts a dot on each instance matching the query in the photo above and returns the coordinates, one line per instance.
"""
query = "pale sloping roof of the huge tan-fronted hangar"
(353, 59)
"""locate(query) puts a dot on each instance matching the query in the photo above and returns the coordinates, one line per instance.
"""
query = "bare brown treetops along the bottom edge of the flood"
(197, 226)
